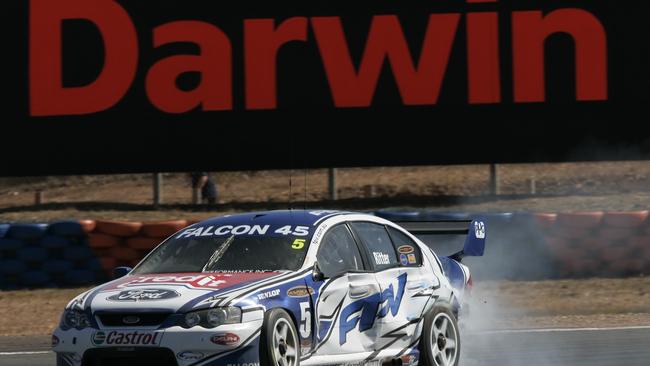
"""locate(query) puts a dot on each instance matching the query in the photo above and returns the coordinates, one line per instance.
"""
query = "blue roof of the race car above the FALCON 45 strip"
(274, 218)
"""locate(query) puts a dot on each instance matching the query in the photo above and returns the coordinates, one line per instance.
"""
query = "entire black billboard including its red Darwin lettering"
(171, 85)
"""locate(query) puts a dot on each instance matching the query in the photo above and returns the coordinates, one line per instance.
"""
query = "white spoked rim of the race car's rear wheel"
(444, 340)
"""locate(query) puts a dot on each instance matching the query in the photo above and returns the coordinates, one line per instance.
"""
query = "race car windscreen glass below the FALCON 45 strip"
(226, 253)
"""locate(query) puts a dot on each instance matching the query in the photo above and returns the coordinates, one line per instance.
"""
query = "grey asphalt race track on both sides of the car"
(577, 347)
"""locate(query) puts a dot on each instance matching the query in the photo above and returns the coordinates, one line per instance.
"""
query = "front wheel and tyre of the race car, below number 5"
(279, 342)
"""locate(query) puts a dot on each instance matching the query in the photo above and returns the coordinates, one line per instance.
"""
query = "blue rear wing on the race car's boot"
(474, 229)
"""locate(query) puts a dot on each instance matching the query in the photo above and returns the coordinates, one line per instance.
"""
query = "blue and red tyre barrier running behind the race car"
(521, 246)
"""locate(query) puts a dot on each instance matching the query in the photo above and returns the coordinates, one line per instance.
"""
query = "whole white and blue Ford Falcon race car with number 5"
(280, 288)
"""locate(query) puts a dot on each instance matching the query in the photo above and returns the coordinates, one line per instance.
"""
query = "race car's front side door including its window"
(347, 303)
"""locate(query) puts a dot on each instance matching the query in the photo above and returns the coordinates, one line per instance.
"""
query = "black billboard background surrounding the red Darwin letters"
(306, 130)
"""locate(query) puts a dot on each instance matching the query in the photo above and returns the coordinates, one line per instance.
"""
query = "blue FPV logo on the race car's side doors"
(366, 310)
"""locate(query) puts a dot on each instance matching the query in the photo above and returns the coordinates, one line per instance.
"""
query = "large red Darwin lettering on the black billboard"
(419, 81)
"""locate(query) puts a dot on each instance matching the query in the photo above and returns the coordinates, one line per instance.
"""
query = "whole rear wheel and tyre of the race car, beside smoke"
(440, 339)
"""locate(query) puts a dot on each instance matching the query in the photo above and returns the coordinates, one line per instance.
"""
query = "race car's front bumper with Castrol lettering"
(226, 344)
